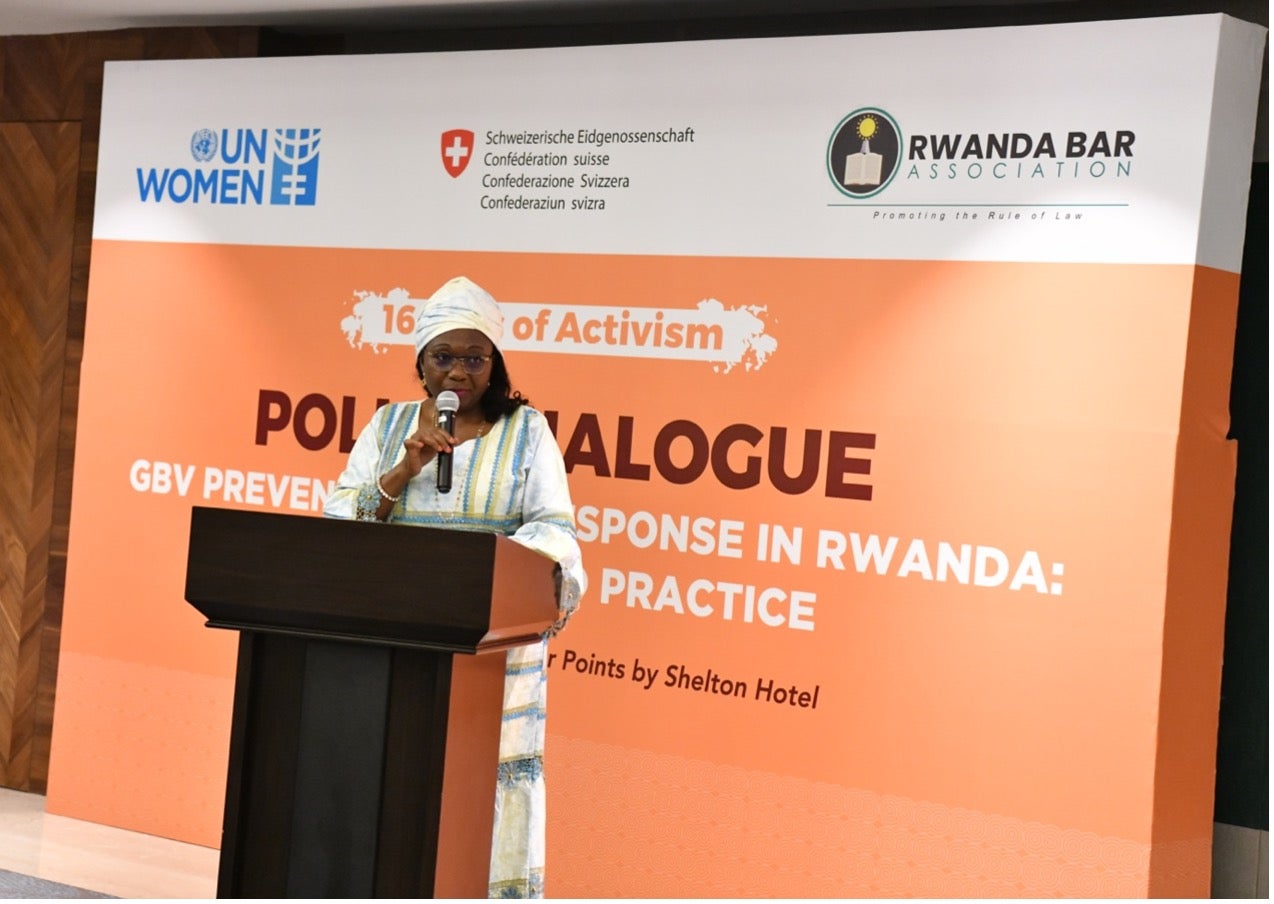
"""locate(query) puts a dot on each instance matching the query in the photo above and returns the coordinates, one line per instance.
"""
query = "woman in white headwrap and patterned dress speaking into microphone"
(497, 469)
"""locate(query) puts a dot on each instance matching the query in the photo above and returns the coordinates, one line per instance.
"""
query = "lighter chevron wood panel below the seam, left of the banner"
(38, 197)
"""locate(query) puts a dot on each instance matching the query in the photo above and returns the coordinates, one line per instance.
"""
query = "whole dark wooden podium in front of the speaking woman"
(364, 751)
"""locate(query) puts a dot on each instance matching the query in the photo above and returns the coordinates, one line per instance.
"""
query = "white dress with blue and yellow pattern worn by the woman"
(512, 482)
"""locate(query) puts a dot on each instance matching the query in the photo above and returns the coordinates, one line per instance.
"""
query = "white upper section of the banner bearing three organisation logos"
(1106, 142)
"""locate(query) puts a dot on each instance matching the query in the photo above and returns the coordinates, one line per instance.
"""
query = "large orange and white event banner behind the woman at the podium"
(891, 374)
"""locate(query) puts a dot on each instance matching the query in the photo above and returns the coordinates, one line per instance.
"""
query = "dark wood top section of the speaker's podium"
(458, 591)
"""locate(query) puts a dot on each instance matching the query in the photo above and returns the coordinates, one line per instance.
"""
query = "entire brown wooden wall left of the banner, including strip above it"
(50, 108)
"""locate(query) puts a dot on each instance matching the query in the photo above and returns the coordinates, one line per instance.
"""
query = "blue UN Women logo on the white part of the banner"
(240, 166)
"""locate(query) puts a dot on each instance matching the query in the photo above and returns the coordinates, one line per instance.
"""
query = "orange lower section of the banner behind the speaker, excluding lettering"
(966, 739)
